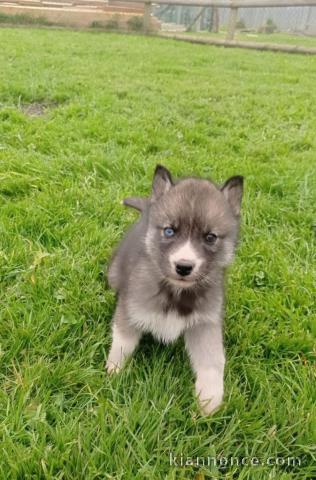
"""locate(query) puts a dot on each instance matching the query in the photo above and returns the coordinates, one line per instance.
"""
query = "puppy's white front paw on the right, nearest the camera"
(210, 393)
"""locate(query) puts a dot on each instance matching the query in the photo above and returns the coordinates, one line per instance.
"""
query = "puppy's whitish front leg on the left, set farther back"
(125, 339)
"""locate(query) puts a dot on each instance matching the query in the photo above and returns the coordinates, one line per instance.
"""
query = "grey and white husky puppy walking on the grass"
(169, 274)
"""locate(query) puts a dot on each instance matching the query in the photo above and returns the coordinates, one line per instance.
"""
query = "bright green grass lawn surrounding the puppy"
(116, 106)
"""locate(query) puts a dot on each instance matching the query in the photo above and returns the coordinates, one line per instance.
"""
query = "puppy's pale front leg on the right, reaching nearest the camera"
(204, 344)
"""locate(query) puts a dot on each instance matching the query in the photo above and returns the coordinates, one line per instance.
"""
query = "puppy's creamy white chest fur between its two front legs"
(166, 327)
